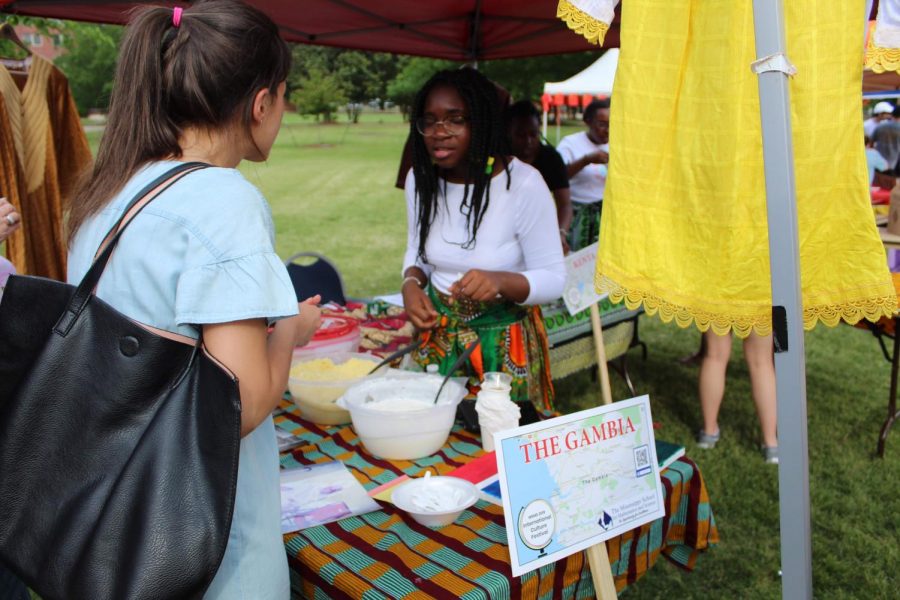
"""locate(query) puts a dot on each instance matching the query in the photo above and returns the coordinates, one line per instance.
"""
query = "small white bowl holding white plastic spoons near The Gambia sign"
(443, 486)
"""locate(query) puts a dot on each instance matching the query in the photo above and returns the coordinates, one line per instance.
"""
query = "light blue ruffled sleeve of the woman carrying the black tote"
(247, 287)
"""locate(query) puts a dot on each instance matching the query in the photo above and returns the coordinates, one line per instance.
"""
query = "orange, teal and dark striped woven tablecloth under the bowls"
(385, 554)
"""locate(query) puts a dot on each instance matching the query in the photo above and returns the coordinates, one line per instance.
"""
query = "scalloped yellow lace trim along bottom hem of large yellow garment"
(870, 308)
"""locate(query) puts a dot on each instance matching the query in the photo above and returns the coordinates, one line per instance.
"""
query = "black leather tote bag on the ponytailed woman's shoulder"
(118, 447)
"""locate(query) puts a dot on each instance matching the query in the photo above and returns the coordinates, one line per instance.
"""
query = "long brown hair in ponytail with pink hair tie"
(203, 73)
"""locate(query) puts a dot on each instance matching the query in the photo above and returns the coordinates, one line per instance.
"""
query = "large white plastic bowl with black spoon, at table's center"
(416, 431)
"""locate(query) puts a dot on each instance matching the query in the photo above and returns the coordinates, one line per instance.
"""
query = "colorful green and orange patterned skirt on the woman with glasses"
(513, 340)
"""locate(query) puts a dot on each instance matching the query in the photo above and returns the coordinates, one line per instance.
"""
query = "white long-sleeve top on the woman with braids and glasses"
(519, 233)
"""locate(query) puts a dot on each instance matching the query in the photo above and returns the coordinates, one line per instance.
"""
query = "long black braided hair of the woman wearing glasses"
(487, 140)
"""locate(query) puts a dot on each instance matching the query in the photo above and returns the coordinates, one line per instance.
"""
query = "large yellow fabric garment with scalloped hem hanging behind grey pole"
(684, 228)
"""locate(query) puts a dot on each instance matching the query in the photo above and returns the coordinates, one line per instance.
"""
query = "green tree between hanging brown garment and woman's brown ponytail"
(90, 62)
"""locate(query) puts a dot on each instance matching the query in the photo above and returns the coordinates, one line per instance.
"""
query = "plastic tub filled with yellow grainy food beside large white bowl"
(314, 392)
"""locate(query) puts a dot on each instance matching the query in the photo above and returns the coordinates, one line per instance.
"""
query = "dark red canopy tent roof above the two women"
(463, 30)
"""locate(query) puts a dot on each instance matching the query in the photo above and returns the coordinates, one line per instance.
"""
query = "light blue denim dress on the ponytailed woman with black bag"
(203, 252)
